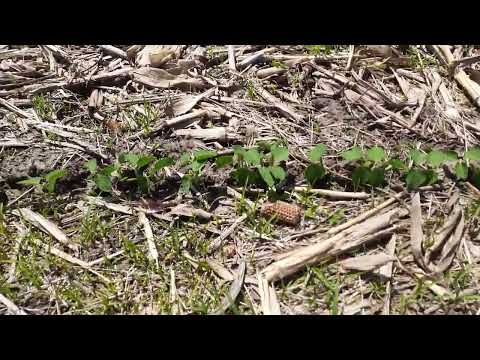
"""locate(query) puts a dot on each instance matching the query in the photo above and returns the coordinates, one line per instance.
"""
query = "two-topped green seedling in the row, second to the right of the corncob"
(369, 166)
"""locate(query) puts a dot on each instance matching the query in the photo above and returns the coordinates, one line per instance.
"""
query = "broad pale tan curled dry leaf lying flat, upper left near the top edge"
(162, 79)
